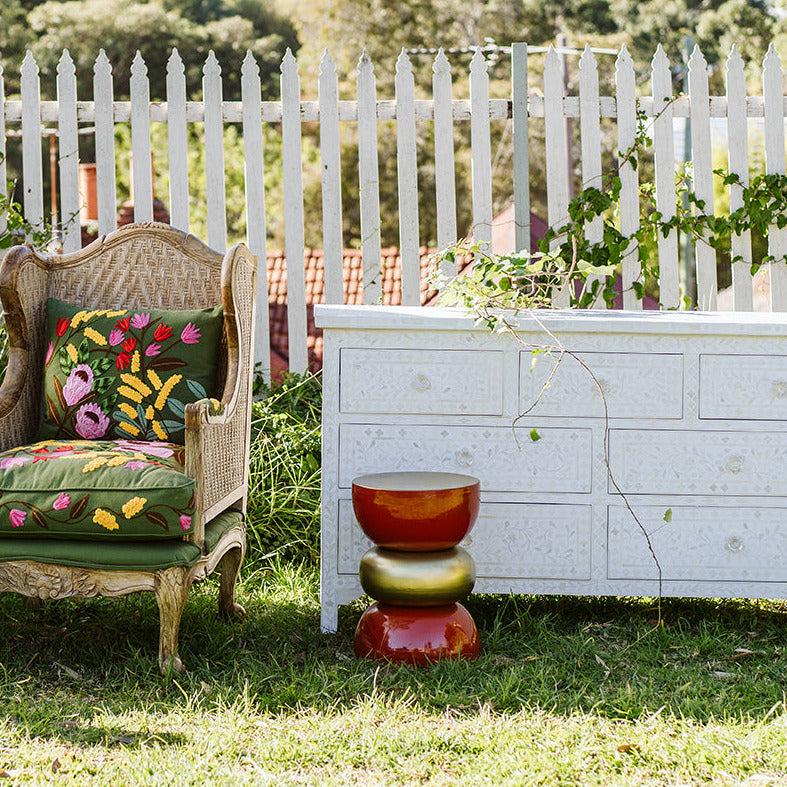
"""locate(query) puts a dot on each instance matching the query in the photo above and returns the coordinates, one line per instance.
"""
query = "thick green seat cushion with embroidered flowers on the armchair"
(89, 489)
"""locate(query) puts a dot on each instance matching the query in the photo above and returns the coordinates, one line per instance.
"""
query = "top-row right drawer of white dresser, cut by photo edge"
(743, 386)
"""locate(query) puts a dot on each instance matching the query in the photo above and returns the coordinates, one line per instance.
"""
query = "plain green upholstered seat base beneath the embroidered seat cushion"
(128, 555)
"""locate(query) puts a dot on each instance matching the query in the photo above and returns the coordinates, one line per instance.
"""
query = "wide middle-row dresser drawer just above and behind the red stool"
(503, 459)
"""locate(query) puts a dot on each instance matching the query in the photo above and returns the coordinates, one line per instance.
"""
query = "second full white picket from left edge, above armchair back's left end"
(68, 159)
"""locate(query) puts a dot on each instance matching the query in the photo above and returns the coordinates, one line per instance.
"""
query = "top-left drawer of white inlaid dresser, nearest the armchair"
(428, 382)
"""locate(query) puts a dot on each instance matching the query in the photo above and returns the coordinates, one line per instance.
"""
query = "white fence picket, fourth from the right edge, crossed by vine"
(664, 161)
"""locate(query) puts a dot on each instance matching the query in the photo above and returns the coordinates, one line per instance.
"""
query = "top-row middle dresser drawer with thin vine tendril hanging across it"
(634, 384)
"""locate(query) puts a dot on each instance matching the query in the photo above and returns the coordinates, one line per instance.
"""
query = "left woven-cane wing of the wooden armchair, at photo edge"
(23, 292)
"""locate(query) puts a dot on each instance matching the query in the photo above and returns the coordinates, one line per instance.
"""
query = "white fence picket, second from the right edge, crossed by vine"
(738, 162)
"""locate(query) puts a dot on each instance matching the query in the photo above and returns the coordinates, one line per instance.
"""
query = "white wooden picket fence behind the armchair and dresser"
(444, 110)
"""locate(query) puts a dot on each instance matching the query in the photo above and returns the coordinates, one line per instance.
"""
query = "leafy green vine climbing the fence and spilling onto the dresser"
(525, 280)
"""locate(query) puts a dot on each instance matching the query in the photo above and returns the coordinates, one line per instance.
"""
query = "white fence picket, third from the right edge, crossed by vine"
(704, 254)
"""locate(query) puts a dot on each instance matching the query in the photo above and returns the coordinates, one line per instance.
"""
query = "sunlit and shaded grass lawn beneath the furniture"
(567, 691)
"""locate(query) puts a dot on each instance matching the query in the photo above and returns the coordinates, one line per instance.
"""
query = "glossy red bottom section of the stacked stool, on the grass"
(419, 636)
